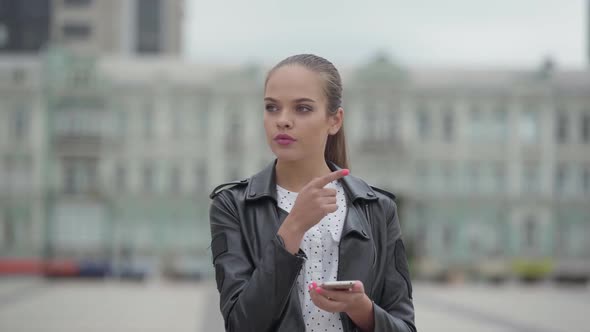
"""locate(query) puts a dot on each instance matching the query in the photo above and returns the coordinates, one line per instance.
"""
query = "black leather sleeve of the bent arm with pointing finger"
(253, 292)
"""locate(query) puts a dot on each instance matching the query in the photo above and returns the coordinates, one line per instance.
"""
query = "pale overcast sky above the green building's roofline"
(473, 33)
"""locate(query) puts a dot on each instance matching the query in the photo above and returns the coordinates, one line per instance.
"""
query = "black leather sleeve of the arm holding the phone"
(396, 312)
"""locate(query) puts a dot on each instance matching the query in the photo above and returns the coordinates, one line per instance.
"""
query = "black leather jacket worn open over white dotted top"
(256, 275)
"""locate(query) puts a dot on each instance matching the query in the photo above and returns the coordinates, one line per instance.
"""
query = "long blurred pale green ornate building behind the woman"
(108, 155)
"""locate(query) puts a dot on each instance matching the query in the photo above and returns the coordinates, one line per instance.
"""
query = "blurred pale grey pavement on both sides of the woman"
(64, 306)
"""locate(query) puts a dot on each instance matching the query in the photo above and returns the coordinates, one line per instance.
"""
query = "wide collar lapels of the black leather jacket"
(263, 184)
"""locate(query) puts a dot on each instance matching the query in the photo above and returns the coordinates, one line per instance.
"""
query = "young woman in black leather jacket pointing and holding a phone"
(303, 220)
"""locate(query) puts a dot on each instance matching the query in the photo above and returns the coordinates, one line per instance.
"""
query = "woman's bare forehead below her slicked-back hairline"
(292, 82)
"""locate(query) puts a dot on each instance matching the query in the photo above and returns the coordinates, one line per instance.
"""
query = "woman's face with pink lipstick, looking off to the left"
(296, 120)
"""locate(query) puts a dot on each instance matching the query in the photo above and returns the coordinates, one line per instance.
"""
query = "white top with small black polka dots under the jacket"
(320, 245)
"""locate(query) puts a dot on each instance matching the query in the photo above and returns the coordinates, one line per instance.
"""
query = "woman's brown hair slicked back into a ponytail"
(336, 145)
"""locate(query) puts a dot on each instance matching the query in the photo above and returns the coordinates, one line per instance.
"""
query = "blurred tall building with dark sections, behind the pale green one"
(123, 27)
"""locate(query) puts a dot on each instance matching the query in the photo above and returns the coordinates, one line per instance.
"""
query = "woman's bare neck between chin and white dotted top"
(294, 175)
